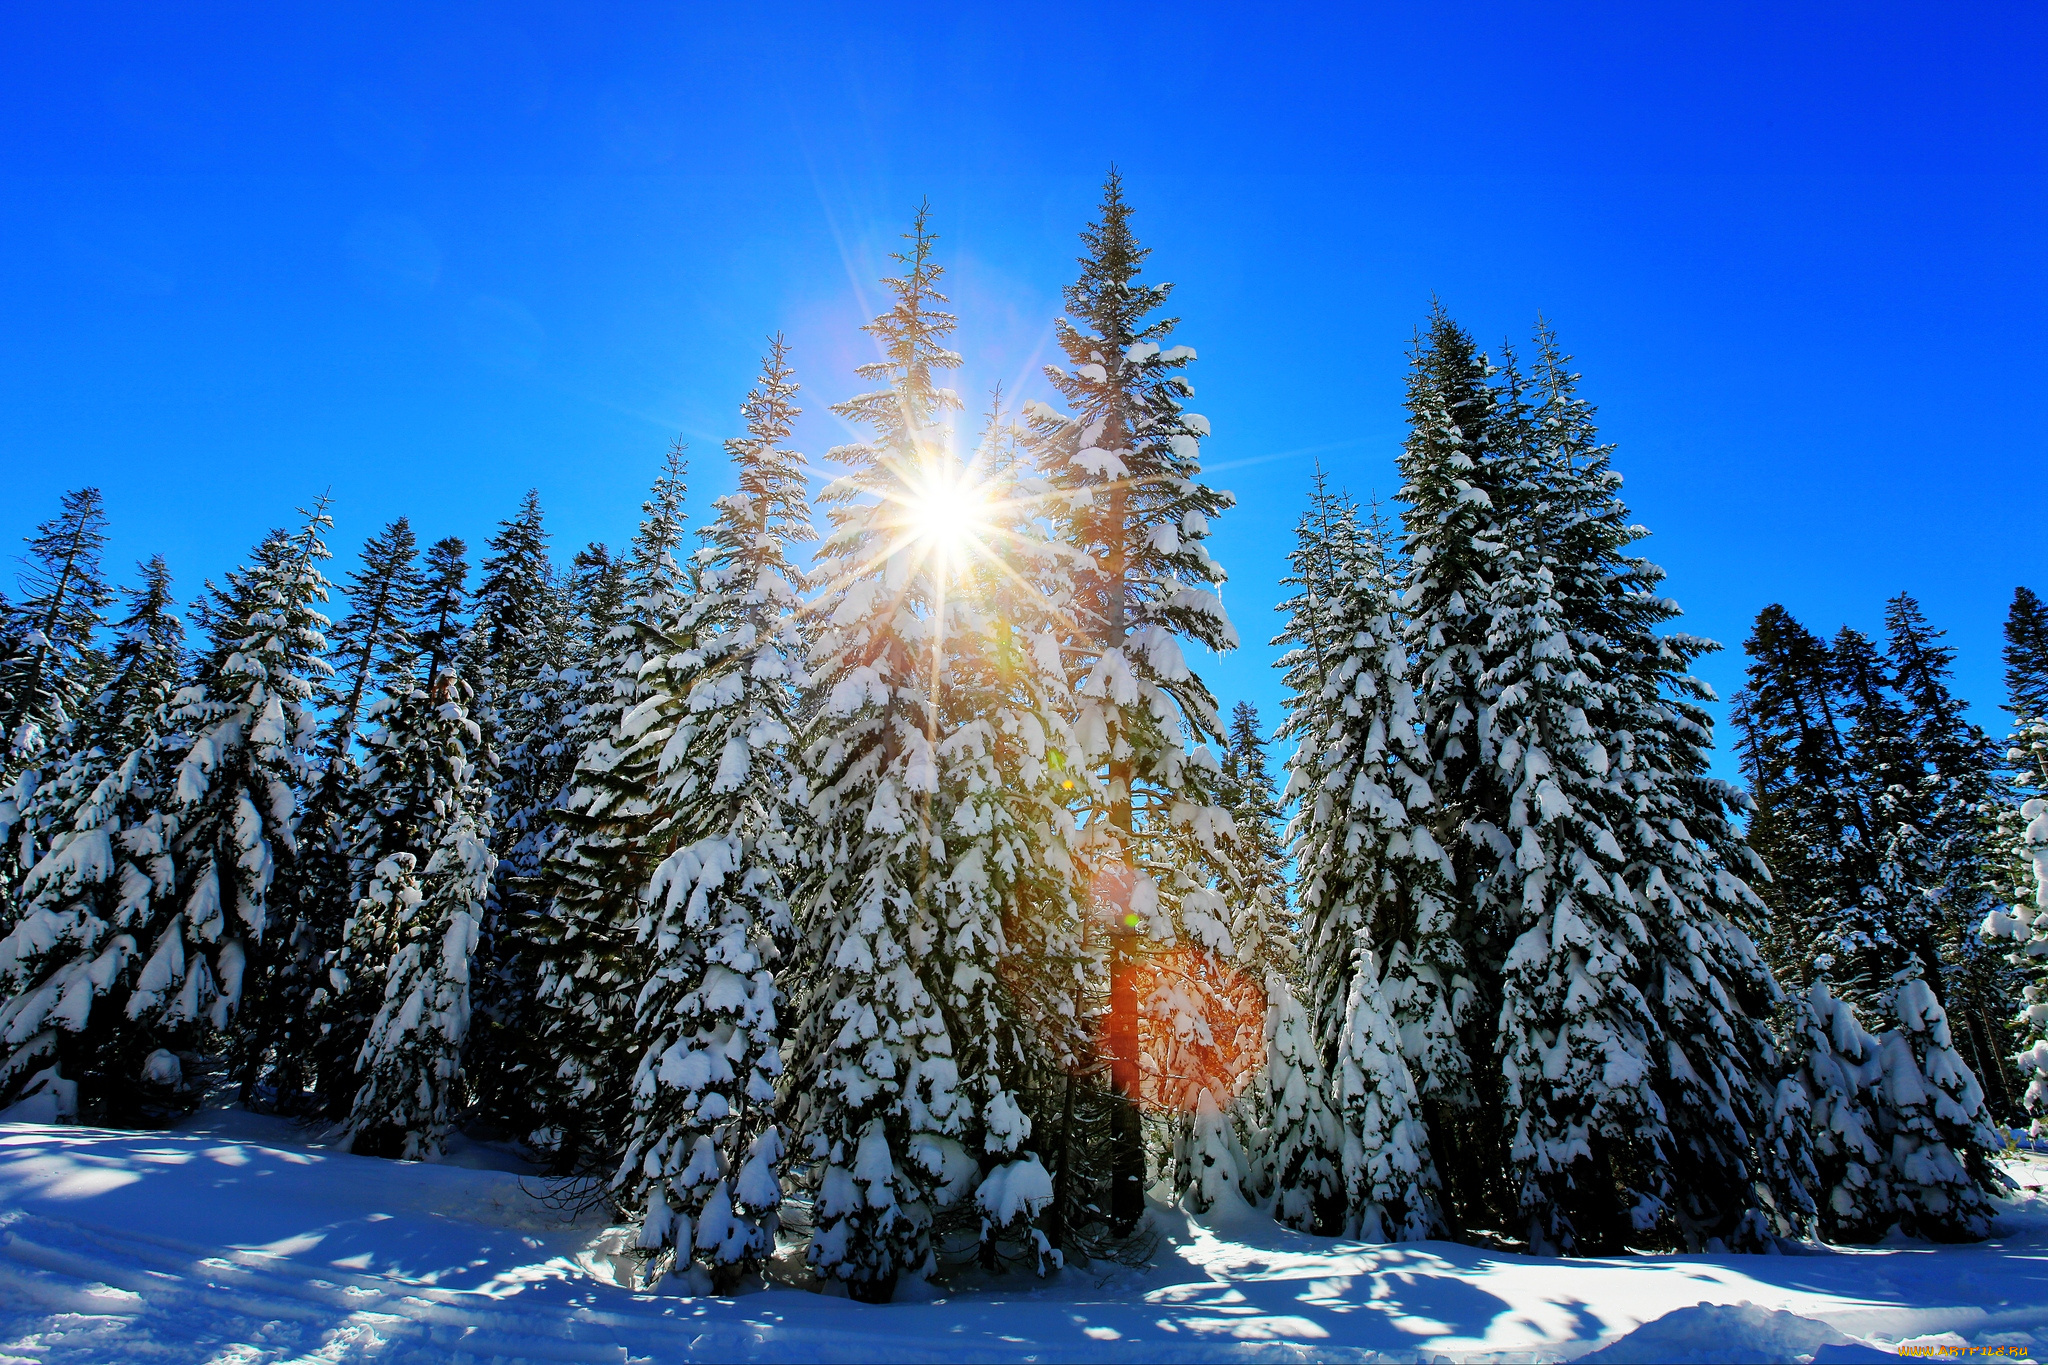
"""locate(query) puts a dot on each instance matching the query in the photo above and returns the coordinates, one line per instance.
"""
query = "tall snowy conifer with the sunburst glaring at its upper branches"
(878, 1088)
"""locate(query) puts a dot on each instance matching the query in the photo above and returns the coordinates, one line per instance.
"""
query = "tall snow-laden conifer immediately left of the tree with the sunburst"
(708, 1149)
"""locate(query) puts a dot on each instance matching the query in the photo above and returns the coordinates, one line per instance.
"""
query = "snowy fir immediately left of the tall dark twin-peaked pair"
(1365, 867)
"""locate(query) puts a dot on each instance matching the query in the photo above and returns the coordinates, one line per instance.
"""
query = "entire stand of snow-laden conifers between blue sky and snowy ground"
(863, 865)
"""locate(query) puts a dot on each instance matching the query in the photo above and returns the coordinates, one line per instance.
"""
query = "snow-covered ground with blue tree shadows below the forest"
(237, 1241)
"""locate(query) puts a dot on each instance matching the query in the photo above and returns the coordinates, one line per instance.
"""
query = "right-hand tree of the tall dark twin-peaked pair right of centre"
(1689, 865)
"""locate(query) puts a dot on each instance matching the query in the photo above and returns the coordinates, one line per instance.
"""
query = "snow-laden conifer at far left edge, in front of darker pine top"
(108, 863)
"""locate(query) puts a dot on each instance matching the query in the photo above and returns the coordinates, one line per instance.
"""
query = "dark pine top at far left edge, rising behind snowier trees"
(56, 623)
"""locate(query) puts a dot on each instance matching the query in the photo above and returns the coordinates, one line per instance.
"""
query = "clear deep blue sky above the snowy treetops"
(433, 257)
